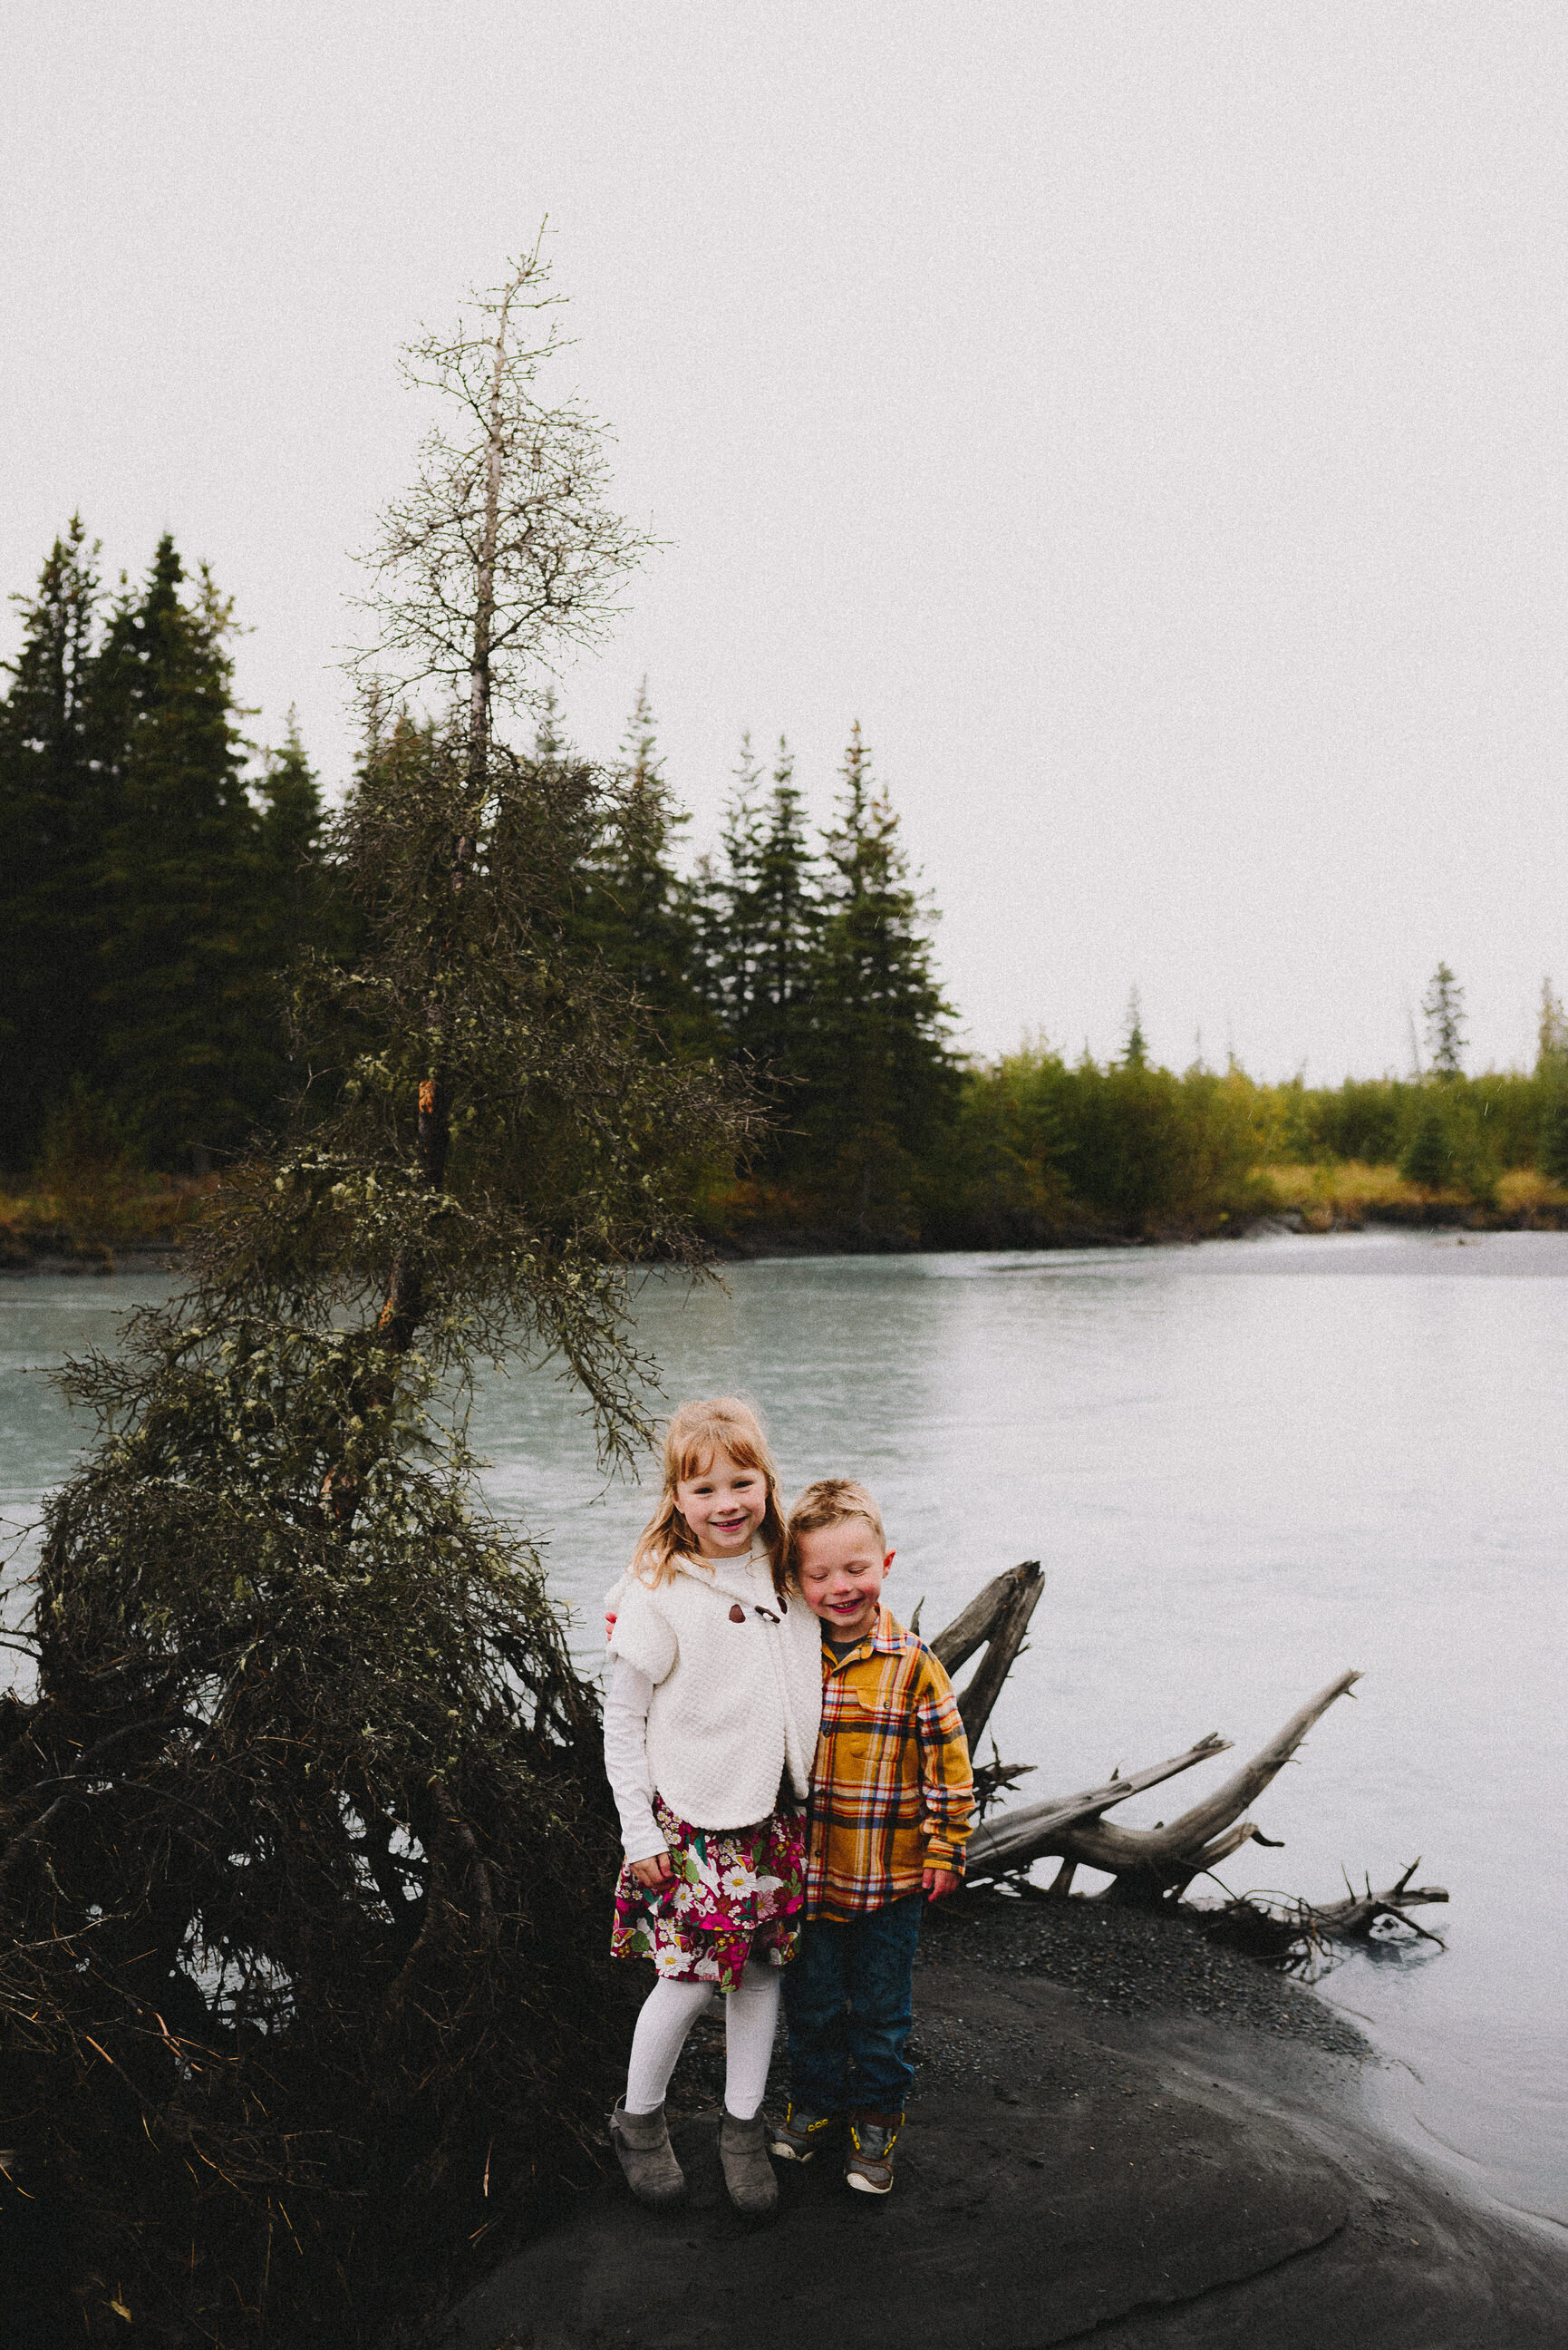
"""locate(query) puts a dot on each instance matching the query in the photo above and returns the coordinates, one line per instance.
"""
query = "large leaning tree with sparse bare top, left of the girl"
(307, 2006)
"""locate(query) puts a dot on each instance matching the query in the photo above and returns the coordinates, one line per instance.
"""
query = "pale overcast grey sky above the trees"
(1146, 419)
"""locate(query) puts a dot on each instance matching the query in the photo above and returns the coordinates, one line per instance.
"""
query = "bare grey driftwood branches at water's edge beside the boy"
(1144, 1865)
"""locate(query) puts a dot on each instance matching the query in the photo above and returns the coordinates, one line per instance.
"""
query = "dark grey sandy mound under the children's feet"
(1118, 2133)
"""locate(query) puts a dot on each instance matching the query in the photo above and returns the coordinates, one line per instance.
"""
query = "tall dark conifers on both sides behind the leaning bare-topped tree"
(154, 892)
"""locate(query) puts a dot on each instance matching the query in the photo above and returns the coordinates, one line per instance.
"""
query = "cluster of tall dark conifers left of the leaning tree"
(149, 887)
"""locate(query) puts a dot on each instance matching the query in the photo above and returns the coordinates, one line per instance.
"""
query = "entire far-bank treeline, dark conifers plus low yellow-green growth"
(159, 880)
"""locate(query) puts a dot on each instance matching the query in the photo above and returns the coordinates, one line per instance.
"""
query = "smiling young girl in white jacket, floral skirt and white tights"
(711, 1717)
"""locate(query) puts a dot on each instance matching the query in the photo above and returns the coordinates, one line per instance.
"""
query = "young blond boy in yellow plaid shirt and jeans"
(892, 1804)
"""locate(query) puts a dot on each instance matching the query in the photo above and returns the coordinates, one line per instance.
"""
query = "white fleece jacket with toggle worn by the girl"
(737, 1686)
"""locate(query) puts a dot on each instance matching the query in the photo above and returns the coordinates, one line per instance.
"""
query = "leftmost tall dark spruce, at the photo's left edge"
(53, 821)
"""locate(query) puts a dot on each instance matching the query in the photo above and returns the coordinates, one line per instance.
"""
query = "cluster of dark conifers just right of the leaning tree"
(808, 960)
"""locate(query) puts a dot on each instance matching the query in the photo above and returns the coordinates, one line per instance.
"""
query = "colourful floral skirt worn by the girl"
(737, 1895)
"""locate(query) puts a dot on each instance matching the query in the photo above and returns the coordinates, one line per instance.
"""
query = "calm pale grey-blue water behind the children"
(1245, 1468)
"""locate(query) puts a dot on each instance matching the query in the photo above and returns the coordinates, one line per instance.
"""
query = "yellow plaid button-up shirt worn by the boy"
(892, 1792)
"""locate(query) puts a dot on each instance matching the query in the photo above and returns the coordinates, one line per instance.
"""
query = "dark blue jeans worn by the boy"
(850, 1996)
